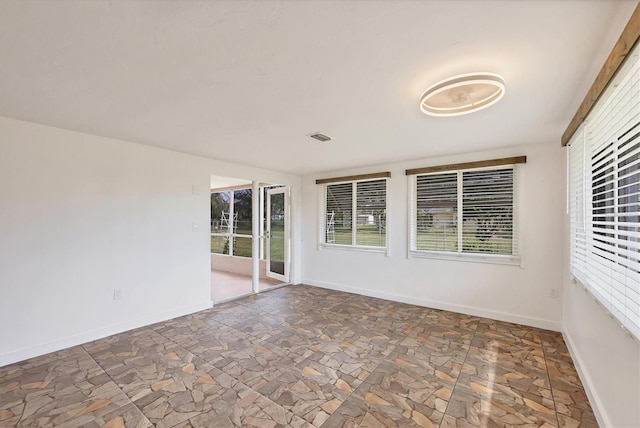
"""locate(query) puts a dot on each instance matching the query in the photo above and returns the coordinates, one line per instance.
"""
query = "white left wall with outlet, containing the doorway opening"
(82, 215)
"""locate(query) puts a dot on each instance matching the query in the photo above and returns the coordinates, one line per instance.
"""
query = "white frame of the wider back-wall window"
(515, 258)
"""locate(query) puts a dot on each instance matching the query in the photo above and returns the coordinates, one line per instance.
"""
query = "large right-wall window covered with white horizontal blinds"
(604, 198)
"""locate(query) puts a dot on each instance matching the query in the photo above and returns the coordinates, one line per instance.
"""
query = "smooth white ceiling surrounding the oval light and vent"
(246, 81)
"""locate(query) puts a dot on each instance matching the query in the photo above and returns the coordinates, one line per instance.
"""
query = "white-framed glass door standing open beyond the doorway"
(277, 234)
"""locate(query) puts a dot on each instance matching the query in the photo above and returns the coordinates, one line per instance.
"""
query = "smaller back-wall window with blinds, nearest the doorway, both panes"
(354, 214)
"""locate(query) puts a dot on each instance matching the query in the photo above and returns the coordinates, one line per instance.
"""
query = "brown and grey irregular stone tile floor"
(302, 356)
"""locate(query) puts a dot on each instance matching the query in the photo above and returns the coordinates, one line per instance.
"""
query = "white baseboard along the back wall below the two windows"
(469, 310)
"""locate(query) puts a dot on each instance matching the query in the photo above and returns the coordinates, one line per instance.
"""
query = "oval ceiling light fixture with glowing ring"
(462, 94)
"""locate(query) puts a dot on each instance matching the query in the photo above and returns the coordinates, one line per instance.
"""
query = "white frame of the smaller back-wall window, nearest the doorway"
(322, 218)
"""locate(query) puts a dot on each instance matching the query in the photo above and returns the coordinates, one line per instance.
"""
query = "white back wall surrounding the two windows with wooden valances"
(512, 293)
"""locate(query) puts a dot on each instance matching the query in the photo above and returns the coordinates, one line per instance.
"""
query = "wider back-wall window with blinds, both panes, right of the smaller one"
(465, 213)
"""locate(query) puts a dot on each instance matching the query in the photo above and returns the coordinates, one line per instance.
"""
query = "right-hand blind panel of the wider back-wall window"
(488, 212)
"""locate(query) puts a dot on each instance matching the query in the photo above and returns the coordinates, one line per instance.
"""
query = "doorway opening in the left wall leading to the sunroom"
(232, 236)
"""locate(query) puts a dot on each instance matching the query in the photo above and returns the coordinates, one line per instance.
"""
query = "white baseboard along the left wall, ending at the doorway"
(78, 339)
